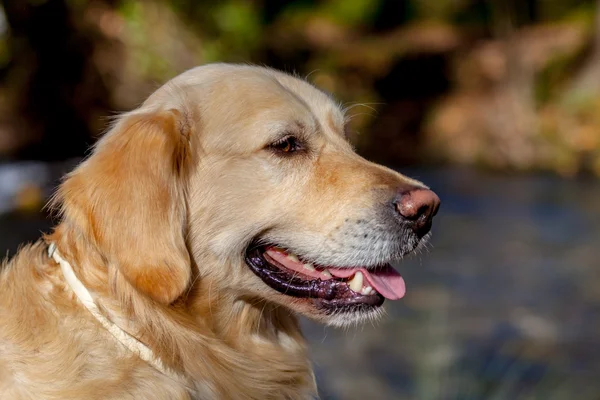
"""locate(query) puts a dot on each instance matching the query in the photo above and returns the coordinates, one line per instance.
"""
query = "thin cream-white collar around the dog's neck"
(133, 344)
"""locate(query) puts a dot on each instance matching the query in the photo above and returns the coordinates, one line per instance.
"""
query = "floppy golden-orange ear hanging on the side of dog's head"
(130, 194)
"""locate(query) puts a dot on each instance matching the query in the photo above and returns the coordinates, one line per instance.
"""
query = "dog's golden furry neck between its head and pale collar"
(204, 336)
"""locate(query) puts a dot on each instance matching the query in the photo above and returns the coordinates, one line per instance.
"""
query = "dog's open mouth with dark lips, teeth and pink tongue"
(332, 288)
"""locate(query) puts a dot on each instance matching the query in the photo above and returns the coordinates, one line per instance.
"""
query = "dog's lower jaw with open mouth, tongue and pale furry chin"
(334, 294)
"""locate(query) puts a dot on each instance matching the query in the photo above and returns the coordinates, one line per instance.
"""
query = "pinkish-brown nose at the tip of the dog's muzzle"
(417, 206)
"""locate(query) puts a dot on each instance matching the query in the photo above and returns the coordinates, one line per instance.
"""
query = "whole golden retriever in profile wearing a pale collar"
(201, 225)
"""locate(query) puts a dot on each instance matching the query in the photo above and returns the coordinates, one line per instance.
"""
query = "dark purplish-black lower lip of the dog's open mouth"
(327, 294)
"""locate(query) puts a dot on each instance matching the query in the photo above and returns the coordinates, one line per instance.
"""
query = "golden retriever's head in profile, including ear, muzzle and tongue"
(242, 176)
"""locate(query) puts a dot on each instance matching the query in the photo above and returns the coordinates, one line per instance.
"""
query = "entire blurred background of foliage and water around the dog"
(494, 104)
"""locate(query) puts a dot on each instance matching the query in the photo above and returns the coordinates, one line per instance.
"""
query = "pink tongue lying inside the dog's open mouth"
(386, 280)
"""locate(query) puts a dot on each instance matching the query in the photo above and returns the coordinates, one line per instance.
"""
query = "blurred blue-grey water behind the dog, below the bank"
(505, 305)
